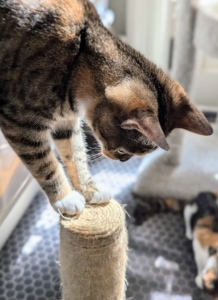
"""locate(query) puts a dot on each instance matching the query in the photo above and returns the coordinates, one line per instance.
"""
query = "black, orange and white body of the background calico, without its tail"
(201, 221)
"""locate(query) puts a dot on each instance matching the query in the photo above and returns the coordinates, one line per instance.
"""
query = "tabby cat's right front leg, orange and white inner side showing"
(68, 138)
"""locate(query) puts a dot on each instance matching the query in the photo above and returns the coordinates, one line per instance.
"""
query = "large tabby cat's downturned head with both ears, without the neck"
(131, 119)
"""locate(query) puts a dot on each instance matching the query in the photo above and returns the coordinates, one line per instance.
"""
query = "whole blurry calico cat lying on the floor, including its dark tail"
(201, 227)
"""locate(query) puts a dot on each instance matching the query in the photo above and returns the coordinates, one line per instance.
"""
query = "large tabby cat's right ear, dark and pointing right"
(189, 117)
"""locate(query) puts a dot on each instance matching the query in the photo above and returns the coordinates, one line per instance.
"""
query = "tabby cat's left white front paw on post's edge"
(71, 204)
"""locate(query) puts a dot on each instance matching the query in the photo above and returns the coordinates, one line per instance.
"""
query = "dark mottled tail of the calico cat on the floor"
(148, 206)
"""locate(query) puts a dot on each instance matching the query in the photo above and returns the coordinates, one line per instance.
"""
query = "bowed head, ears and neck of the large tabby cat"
(132, 105)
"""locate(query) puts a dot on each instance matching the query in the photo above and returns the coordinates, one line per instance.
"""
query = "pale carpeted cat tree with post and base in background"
(189, 166)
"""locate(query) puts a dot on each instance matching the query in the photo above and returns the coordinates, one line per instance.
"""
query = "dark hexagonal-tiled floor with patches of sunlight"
(160, 266)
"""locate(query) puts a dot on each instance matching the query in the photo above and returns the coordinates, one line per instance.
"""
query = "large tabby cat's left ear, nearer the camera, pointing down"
(148, 126)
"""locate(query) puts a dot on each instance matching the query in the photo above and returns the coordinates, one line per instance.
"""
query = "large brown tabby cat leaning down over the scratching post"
(60, 65)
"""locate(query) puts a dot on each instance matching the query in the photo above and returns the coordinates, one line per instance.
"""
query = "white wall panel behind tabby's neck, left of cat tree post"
(148, 27)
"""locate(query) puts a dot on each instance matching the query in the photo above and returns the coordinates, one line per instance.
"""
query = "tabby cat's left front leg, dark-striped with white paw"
(34, 149)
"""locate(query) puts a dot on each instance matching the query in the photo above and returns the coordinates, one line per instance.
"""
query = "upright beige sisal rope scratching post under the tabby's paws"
(93, 254)
